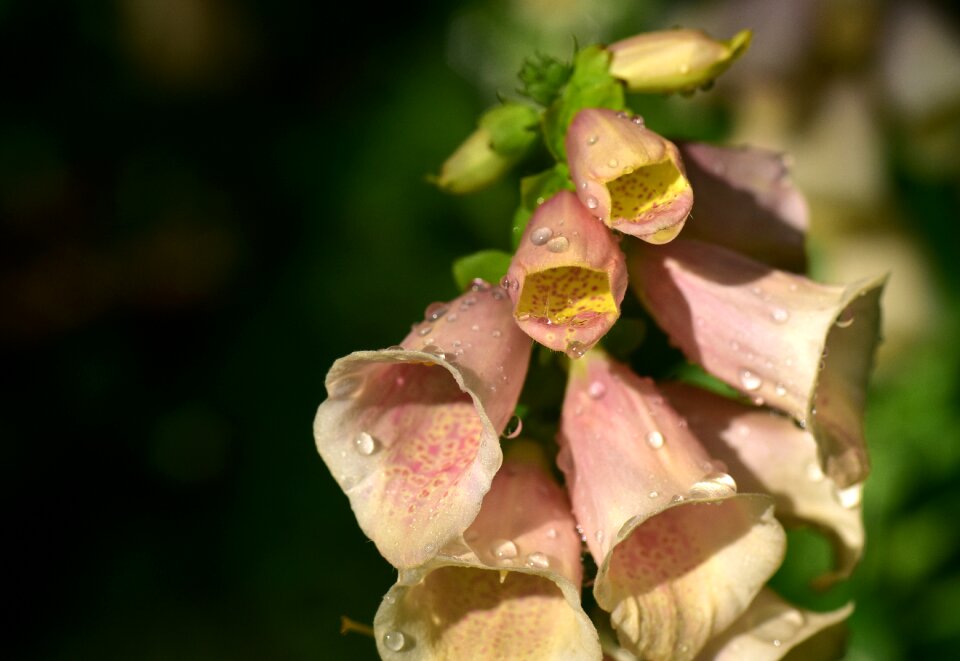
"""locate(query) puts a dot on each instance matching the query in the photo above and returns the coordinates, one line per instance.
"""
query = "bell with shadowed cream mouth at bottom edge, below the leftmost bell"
(513, 592)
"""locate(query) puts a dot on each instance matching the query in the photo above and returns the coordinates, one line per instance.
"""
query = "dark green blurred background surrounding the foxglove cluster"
(205, 202)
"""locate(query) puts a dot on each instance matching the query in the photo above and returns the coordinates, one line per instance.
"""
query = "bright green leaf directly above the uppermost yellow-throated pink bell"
(590, 86)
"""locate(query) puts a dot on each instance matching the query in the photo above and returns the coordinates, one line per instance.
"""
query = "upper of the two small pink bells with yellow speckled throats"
(627, 175)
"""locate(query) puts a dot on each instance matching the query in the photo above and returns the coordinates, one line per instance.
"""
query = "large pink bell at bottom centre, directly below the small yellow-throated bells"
(681, 554)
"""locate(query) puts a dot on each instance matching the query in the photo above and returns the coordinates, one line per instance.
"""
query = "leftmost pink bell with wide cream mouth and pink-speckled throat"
(411, 433)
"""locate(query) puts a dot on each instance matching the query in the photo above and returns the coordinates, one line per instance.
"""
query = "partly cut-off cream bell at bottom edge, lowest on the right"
(772, 627)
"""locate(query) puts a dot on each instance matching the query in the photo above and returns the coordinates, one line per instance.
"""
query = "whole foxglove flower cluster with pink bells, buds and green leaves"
(679, 494)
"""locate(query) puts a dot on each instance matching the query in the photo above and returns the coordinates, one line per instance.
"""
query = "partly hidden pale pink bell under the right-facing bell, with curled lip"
(767, 453)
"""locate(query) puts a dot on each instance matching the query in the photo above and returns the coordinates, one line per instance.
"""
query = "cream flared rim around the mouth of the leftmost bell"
(488, 459)
